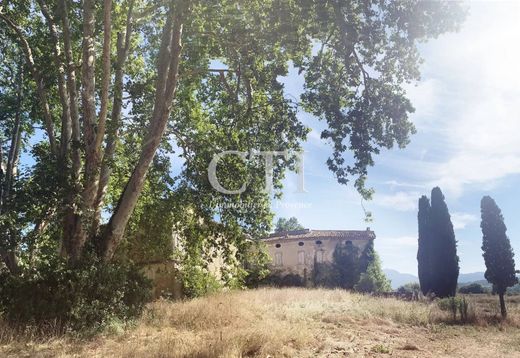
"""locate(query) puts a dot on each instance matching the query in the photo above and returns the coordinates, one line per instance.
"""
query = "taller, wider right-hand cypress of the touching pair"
(445, 261)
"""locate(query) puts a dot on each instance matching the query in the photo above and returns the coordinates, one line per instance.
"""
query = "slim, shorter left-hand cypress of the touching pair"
(424, 251)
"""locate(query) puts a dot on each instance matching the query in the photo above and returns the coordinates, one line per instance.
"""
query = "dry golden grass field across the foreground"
(293, 323)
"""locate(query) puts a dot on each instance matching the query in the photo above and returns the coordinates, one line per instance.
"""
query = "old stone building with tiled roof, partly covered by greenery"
(296, 251)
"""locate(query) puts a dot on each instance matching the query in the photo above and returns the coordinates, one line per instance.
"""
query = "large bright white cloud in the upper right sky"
(476, 98)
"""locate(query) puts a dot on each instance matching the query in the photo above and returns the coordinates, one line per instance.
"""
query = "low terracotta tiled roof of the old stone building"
(322, 234)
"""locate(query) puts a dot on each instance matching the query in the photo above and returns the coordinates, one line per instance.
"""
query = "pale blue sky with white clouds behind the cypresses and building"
(468, 134)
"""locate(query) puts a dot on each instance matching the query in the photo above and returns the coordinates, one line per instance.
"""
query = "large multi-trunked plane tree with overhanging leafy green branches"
(117, 83)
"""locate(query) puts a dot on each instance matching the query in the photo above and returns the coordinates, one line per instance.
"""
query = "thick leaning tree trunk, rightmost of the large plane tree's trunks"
(168, 66)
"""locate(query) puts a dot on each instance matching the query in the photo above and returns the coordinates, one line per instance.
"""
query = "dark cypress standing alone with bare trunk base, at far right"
(498, 254)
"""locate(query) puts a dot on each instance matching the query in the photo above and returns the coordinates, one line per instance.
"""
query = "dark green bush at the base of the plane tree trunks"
(87, 296)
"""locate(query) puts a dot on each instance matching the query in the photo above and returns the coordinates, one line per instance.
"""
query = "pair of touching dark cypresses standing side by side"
(437, 253)
